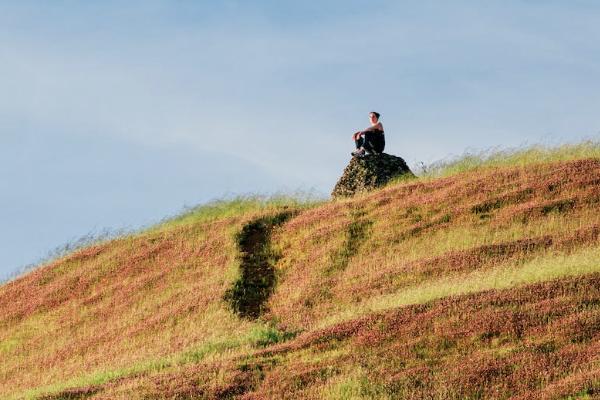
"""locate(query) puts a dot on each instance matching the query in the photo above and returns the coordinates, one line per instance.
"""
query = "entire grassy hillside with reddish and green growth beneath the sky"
(481, 279)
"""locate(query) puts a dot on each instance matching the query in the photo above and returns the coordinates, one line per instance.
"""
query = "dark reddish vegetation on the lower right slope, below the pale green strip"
(540, 341)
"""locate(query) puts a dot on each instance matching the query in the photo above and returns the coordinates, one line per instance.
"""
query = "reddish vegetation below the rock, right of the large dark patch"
(404, 216)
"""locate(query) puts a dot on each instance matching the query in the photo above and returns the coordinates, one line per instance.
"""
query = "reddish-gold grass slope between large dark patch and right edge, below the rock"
(312, 292)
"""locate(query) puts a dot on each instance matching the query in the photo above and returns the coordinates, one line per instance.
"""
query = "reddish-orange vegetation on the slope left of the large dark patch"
(105, 309)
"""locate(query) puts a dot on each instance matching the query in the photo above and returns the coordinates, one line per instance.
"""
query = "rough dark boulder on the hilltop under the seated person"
(368, 173)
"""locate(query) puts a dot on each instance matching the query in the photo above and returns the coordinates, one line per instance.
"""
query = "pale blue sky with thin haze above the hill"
(115, 115)
